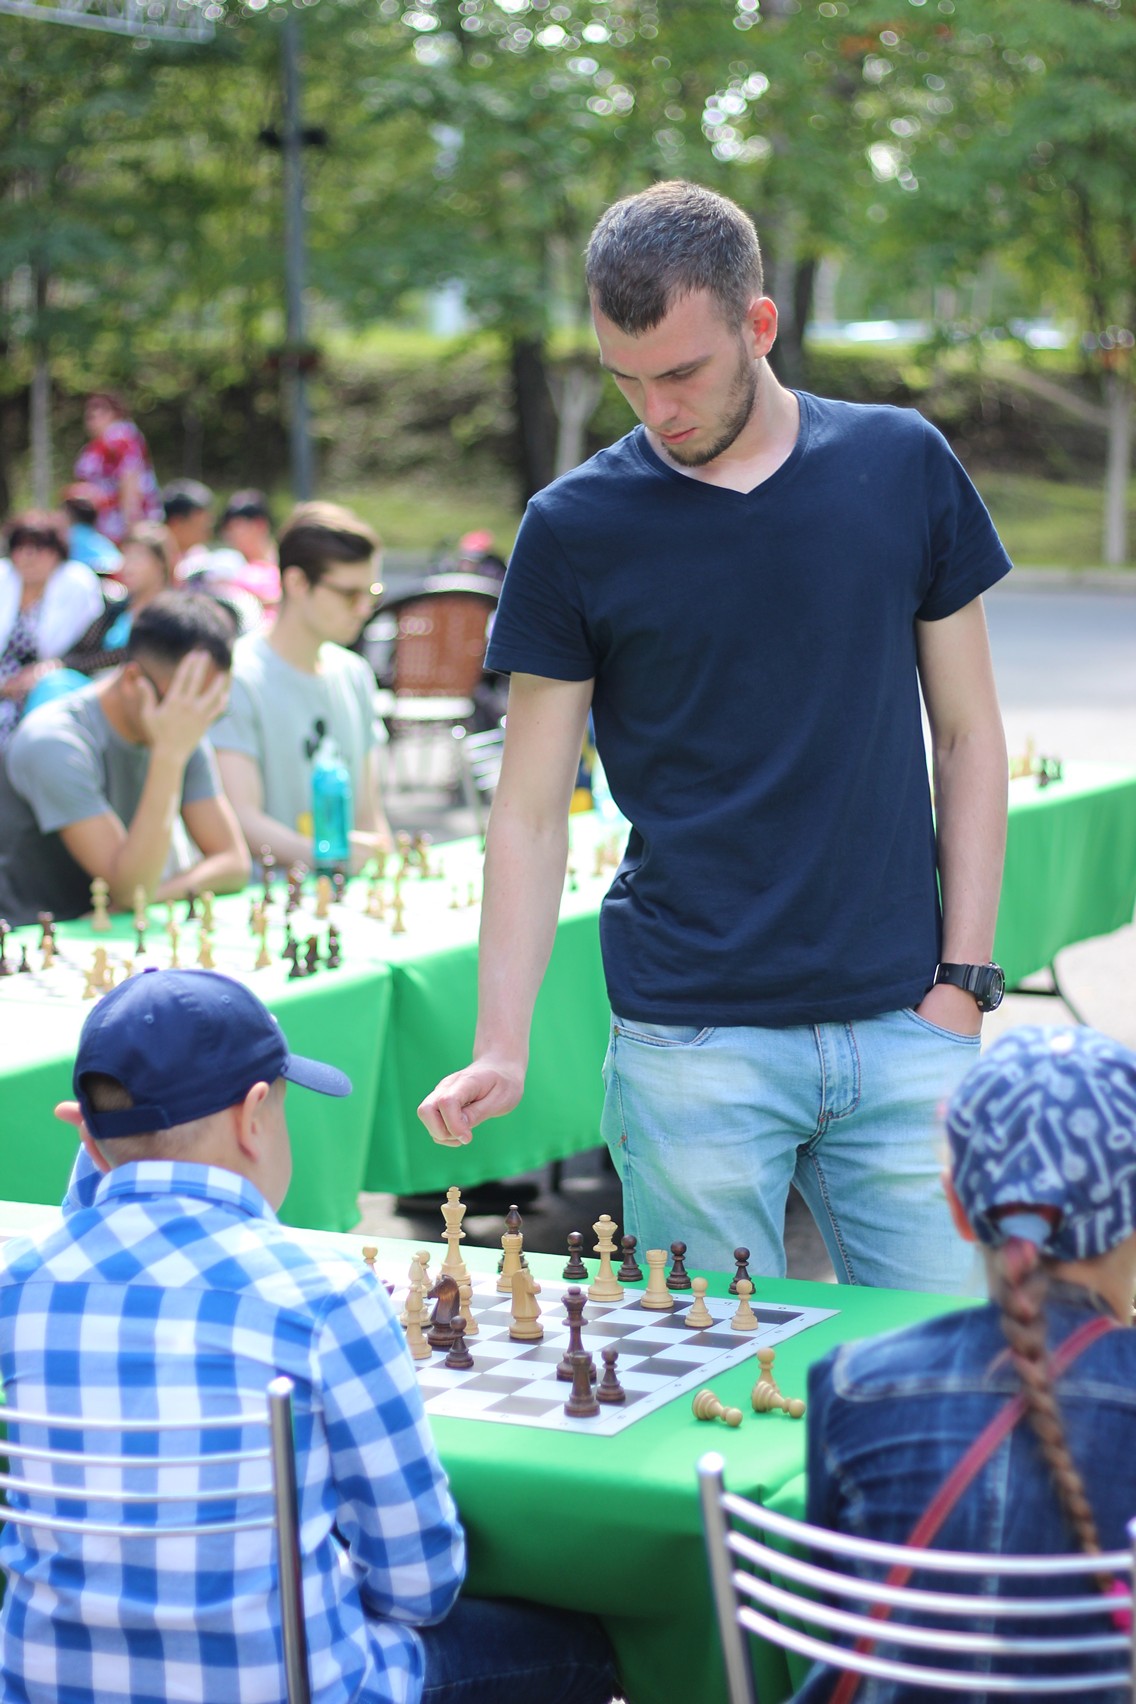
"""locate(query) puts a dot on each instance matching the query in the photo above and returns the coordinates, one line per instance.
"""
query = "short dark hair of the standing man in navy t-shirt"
(658, 246)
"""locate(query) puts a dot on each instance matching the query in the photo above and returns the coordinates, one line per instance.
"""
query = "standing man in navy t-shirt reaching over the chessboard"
(749, 594)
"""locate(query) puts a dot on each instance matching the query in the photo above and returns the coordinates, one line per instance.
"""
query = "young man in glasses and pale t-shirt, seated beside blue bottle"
(295, 681)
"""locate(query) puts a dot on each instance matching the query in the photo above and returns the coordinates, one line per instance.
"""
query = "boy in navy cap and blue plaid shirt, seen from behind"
(173, 1291)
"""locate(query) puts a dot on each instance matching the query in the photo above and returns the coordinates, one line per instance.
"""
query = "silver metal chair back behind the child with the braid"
(735, 1551)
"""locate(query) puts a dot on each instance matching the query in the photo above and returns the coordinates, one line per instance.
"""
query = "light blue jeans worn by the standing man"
(711, 1127)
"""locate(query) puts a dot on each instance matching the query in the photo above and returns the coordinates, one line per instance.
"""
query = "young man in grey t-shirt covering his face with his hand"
(95, 783)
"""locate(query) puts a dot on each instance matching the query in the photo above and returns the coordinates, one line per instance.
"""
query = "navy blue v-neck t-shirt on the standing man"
(757, 708)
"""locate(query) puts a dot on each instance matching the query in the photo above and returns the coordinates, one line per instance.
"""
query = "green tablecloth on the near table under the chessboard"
(612, 1526)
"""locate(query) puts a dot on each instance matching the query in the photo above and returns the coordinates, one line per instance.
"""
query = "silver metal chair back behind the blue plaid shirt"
(278, 1492)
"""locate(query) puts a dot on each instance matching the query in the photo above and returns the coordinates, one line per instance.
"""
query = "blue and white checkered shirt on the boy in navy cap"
(178, 1294)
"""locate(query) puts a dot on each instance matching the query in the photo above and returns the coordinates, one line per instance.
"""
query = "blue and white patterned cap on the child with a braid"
(1048, 1120)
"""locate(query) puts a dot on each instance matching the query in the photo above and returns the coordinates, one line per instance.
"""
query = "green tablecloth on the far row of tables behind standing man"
(399, 1015)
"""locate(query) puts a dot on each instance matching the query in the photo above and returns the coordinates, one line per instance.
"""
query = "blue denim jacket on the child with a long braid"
(890, 1419)
